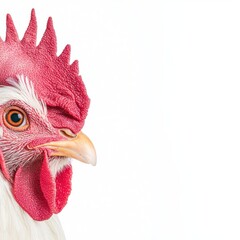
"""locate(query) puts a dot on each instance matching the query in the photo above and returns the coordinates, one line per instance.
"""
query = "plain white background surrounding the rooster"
(164, 83)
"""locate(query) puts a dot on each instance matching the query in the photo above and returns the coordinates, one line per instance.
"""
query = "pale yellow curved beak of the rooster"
(80, 148)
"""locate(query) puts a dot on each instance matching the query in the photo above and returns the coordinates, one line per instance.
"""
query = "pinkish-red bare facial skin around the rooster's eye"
(17, 142)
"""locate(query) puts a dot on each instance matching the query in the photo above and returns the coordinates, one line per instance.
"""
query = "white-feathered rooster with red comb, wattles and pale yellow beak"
(43, 105)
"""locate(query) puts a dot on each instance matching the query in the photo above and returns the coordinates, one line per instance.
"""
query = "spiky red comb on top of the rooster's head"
(56, 82)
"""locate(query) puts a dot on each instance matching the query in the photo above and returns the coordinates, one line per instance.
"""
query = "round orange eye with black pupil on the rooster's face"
(15, 118)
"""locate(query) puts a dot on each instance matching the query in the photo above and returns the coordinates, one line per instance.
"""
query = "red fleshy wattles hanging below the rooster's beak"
(38, 192)
